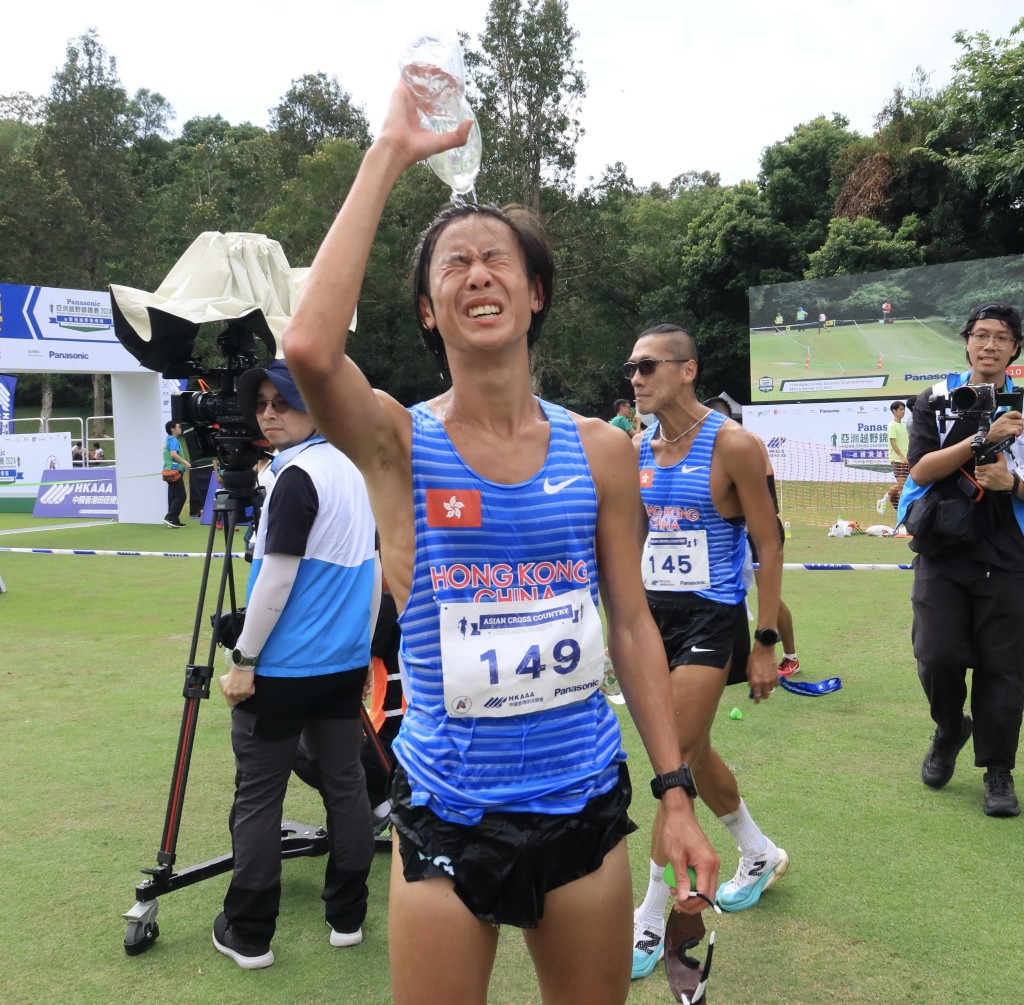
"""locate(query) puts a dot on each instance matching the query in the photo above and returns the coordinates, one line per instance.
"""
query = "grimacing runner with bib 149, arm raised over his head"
(497, 513)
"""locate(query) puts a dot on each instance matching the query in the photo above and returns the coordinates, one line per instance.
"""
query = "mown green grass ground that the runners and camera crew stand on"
(897, 894)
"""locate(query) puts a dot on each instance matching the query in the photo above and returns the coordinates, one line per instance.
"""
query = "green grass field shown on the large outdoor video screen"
(918, 347)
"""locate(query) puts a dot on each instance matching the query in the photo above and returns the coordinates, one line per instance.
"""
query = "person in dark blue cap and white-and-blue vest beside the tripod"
(300, 668)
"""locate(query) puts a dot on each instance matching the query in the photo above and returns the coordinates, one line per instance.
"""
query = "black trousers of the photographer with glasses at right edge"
(967, 614)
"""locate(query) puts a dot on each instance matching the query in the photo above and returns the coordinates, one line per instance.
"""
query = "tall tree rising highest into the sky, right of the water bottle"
(529, 90)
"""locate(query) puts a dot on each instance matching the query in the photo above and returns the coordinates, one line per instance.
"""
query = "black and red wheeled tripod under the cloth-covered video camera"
(239, 491)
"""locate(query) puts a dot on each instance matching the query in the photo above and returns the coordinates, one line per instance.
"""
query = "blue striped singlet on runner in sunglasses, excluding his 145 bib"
(678, 498)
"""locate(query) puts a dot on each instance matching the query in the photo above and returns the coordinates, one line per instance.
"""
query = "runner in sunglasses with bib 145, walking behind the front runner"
(703, 485)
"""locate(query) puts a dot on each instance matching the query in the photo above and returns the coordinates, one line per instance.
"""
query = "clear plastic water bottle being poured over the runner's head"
(433, 67)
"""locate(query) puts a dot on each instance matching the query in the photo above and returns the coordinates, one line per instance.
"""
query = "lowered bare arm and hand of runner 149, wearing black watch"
(638, 654)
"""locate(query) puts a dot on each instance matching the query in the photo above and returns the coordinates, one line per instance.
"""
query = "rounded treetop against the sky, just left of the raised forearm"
(315, 110)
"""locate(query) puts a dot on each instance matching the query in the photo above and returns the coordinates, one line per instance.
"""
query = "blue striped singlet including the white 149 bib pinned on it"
(502, 646)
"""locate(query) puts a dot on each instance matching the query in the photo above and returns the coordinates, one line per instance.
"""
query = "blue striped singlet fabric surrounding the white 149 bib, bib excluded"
(479, 542)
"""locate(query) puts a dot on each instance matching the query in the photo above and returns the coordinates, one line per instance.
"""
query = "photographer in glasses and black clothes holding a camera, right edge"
(968, 588)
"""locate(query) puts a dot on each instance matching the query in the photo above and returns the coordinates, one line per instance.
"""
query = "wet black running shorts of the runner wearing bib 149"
(503, 867)
